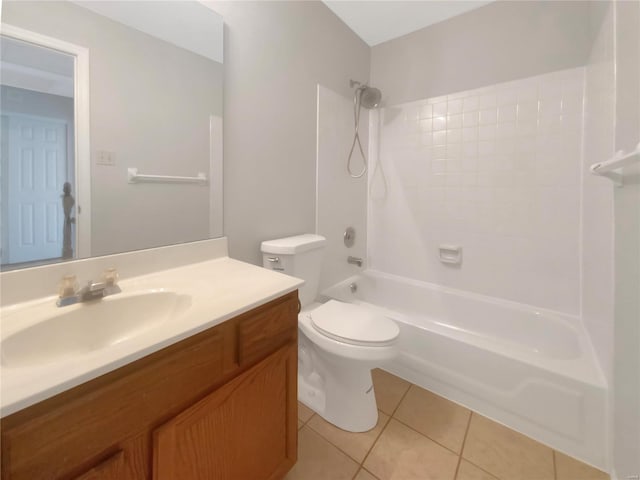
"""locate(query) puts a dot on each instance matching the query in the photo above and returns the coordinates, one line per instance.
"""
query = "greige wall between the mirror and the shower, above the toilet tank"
(275, 55)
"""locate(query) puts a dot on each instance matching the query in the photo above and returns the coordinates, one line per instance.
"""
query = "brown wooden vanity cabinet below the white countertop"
(220, 405)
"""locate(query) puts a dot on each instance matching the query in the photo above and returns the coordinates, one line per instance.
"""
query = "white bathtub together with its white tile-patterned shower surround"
(497, 171)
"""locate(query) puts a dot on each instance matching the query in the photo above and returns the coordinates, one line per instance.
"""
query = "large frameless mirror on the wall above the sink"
(111, 127)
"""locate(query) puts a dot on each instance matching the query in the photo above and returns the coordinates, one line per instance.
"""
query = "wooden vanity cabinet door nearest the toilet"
(244, 430)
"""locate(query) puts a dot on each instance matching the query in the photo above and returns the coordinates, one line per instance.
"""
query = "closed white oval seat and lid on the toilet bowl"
(353, 324)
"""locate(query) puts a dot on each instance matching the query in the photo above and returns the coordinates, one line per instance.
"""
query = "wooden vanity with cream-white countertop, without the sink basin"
(216, 399)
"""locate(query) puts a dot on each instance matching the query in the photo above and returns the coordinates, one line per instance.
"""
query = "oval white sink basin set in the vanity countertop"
(61, 333)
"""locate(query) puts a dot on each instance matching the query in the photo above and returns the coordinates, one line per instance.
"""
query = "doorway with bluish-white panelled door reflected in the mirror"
(37, 131)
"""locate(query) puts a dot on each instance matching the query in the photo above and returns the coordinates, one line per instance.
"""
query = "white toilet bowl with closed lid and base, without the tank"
(334, 372)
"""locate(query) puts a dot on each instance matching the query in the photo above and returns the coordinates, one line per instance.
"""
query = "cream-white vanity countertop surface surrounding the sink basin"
(220, 289)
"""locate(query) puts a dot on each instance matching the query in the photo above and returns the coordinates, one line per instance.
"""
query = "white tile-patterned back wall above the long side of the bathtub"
(495, 170)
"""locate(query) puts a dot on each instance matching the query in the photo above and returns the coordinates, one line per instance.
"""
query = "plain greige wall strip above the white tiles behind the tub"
(470, 51)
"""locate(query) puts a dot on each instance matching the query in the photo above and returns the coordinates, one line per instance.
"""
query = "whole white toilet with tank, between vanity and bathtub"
(339, 343)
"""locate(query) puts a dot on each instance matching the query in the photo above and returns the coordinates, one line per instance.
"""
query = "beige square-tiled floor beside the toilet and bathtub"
(421, 436)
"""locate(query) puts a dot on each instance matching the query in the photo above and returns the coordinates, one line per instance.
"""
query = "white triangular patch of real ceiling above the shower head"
(378, 21)
